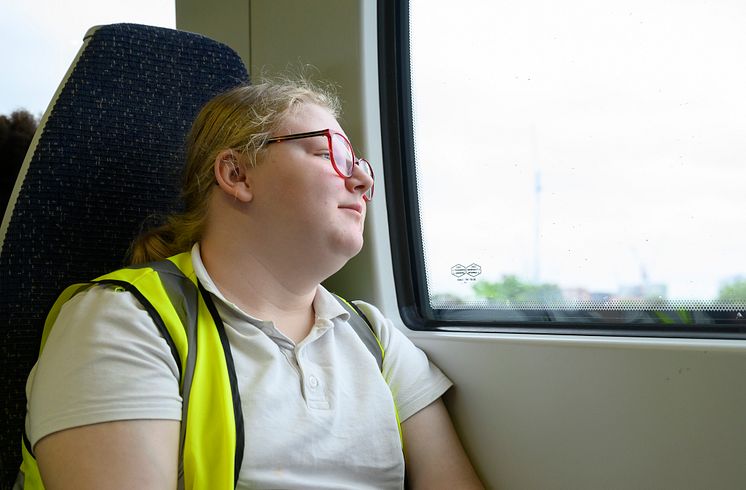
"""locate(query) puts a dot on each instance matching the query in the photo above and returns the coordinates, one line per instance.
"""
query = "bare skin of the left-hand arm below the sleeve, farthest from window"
(139, 454)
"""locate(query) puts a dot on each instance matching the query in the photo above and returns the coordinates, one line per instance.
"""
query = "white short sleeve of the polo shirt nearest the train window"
(414, 381)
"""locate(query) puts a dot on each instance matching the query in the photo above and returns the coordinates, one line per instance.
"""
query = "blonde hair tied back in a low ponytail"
(241, 119)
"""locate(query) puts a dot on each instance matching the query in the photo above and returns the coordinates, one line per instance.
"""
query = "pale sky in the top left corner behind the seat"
(40, 39)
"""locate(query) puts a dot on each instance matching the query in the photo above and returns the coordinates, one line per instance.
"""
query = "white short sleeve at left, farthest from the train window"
(104, 360)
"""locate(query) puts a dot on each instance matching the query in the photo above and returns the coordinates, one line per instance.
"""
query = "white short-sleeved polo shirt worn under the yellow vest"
(317, 414)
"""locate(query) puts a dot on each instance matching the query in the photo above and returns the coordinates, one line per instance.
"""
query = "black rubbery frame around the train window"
(405, 227)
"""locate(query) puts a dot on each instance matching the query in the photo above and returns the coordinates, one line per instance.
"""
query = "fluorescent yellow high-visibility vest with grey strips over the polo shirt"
(212, 432)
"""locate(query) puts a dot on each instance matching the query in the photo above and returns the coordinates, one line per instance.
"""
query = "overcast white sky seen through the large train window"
(630, 115)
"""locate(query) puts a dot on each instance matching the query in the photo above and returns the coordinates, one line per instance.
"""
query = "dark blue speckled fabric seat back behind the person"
(106, 156)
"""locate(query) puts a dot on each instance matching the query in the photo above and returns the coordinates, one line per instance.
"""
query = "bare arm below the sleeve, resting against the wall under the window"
(434, 455)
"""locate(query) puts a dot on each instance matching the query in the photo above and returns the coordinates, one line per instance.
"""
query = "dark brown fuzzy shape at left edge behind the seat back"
(16, 133)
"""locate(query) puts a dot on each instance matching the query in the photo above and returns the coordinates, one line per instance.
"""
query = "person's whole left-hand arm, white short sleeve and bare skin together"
(123, 370)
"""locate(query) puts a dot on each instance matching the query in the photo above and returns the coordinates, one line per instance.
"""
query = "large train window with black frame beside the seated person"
(567, 166)
